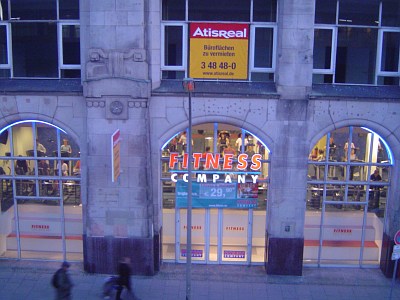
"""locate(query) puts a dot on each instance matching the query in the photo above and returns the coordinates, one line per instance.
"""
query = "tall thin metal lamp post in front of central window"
(188, 85)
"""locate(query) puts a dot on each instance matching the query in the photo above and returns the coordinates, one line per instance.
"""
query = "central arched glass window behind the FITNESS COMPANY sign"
(230, 181)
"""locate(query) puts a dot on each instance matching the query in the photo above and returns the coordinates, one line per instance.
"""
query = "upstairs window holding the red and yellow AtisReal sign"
(258, 56)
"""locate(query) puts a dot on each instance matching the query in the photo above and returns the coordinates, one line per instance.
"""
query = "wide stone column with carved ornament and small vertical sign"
(118, 215)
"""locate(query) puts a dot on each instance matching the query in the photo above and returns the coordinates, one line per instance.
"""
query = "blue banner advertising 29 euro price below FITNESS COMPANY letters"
(218, 195)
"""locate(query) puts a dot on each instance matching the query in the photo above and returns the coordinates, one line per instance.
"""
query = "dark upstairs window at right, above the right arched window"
(354, 46)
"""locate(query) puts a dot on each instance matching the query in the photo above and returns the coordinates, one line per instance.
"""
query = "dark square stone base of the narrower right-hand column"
(285, 256)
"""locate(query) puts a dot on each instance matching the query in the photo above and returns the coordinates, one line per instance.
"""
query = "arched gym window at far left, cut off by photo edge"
(40, 192)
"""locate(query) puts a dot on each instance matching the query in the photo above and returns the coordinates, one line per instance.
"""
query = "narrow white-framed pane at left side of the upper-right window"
(322, 48)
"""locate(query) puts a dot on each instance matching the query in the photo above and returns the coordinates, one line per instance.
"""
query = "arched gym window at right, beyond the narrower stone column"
(348, 182)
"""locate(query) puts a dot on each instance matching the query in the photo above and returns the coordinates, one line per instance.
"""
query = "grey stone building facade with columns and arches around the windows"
(121, 87)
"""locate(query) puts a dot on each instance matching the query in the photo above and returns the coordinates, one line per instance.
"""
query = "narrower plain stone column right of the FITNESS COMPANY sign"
(286, 207)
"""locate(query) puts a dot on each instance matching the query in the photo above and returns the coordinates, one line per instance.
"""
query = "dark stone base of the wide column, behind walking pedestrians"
(102, 254)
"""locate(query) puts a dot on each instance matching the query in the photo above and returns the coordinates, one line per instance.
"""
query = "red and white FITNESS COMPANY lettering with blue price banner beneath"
(220, 182)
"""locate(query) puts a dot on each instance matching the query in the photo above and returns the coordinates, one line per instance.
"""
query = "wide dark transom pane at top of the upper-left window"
(34, 10)
